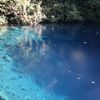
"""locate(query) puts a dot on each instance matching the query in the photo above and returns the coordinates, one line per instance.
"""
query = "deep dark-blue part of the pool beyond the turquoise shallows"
(63, 59)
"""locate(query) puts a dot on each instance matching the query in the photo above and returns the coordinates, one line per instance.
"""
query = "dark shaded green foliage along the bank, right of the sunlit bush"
(73, 10)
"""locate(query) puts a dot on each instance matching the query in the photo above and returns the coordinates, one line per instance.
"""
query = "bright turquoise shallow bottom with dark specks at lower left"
(16, 86)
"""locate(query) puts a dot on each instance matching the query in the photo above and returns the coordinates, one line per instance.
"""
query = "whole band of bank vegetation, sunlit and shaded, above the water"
(29, 12)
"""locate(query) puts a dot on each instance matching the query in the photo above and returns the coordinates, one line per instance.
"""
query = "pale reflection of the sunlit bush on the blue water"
(29, 49)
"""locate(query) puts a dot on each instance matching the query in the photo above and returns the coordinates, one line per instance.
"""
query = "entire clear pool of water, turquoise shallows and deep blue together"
(50, 62)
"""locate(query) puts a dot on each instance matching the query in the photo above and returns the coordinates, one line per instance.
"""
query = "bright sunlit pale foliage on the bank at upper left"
(21, 12)
